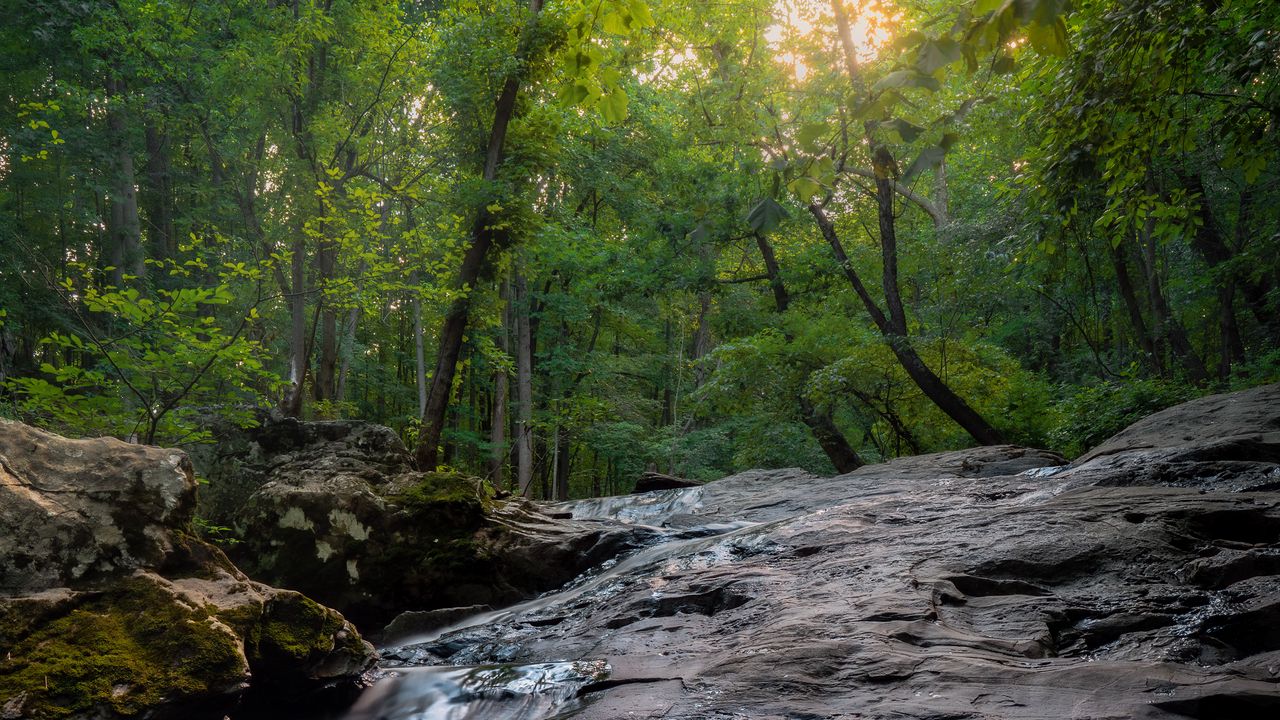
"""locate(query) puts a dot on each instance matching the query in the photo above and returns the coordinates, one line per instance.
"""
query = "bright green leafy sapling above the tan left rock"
(148, 368)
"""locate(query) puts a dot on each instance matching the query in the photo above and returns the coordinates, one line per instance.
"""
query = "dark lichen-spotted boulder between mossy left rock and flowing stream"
(342, 517)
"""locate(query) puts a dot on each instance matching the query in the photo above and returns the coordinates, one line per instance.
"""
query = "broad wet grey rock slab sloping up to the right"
(1142, 581)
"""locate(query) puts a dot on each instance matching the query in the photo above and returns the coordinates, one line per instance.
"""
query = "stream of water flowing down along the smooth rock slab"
(473, 671)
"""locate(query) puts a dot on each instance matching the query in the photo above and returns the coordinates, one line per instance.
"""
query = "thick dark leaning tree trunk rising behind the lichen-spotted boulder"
(483, 236)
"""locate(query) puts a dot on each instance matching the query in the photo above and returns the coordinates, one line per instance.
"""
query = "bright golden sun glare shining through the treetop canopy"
(801, 22)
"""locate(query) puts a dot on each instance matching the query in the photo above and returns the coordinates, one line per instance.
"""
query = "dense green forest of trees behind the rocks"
(561, 244)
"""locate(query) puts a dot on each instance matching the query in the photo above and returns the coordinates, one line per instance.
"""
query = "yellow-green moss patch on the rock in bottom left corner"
(125, 653)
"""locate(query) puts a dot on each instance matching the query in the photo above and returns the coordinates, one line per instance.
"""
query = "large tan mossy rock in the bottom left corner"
(111, 608)
